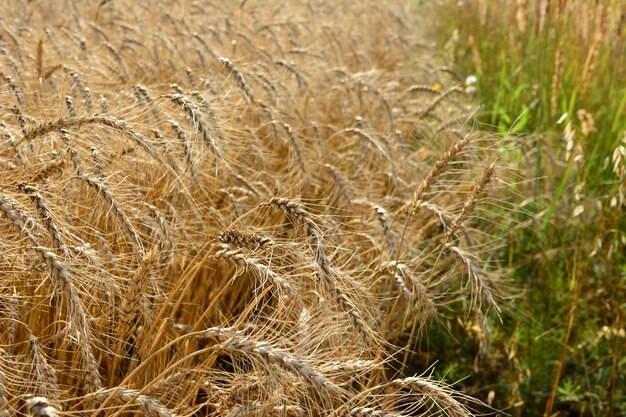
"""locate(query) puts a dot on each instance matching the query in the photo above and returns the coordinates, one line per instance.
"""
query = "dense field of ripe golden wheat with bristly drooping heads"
(244, 208)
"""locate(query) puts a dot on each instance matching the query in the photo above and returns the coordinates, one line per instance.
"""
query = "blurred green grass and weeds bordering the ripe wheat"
(554, 74)
